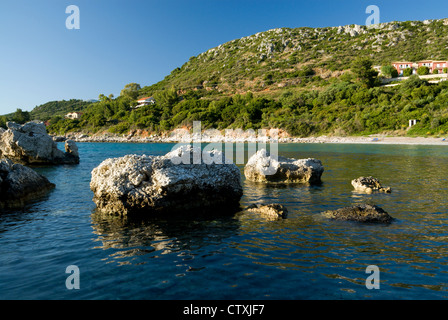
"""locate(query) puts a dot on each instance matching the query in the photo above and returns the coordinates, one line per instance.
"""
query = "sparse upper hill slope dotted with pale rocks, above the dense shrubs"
(284, 57)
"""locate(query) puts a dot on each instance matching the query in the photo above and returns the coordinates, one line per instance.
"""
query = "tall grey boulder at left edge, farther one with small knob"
(30, 144)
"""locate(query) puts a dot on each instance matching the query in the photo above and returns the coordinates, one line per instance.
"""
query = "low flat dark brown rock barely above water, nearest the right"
(360, 213)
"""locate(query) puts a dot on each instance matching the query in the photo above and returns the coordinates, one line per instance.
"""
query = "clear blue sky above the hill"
(144, 40)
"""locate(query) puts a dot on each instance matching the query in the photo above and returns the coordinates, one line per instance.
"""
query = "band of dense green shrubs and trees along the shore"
(341, 108)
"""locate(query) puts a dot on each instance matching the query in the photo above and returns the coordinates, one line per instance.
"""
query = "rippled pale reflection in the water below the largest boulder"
(150, 237)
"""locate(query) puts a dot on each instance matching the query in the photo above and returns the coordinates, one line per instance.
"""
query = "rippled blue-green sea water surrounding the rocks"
(239, 256)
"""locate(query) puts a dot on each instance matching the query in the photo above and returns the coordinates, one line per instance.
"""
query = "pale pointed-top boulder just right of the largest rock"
(261, 167)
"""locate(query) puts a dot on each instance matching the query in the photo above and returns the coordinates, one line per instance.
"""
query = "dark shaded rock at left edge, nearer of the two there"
(19, 184)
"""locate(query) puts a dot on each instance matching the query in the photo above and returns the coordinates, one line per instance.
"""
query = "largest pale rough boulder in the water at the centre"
(152, 184)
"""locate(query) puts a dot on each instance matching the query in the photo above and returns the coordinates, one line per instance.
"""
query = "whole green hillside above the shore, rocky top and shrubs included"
(305, 81)
